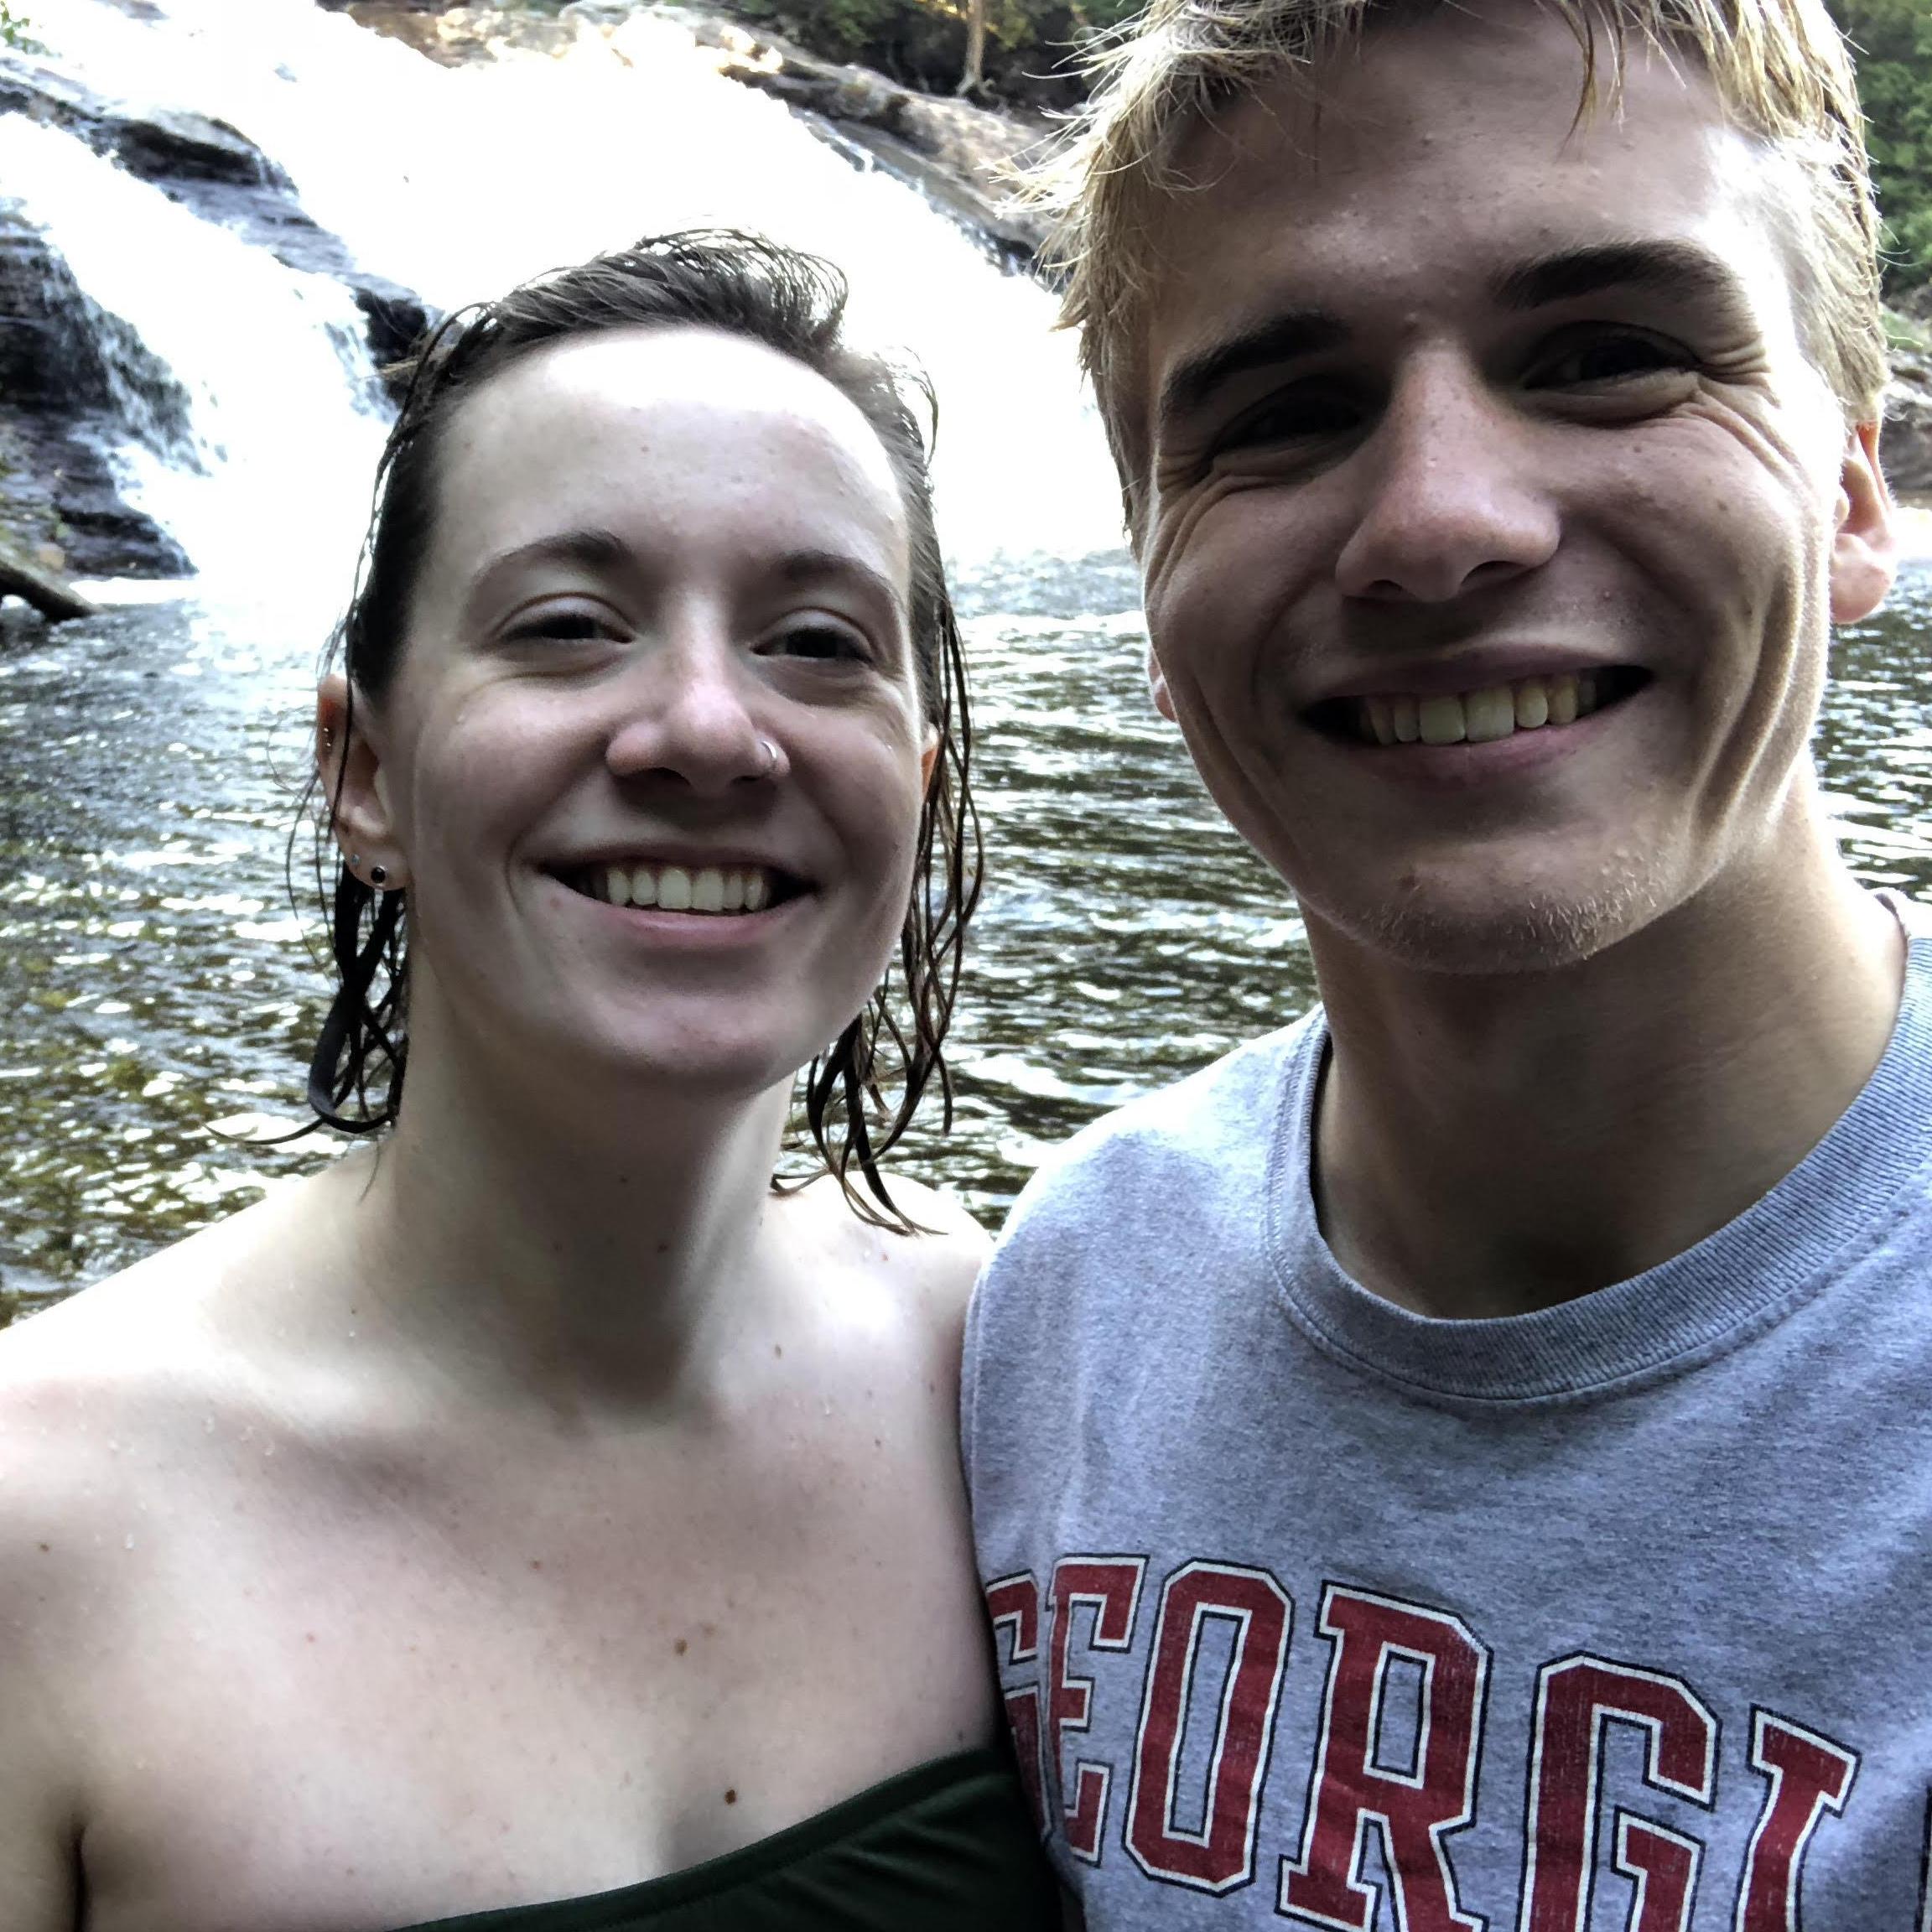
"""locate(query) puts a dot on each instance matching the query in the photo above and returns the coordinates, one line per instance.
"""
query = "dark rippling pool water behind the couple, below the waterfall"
(154, 979)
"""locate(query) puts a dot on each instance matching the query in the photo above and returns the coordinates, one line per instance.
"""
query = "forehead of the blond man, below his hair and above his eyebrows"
(1427, 161)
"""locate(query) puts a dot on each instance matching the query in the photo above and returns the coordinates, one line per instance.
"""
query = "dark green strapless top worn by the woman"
(946, 1848)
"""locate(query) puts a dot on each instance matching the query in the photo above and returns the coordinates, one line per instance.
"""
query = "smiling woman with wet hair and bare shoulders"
(540, 1502)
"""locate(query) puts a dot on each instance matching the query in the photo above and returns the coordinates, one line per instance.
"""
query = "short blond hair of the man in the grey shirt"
(1780, 69)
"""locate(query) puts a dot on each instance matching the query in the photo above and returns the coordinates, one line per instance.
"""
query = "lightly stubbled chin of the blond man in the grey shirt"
(1483, 928)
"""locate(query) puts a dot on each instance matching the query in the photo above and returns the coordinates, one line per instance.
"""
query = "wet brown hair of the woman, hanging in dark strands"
(795, 304)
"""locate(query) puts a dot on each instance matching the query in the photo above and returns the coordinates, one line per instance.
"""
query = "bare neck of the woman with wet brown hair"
(581, 1247)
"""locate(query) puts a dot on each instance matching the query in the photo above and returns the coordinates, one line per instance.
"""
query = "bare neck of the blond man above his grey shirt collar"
(1487, 1147)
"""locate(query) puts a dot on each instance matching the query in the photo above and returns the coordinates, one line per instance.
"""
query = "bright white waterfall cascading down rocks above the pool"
(461, 183)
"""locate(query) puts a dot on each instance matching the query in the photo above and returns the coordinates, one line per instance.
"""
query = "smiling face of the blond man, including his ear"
(1494, 517)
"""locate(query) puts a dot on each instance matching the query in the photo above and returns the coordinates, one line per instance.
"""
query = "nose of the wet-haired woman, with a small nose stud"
(691, 710)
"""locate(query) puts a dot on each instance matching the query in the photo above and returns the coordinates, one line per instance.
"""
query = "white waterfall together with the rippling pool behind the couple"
(157, 984)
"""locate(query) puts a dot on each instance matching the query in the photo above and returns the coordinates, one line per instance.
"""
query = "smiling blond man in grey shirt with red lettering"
(1465, 1462)
